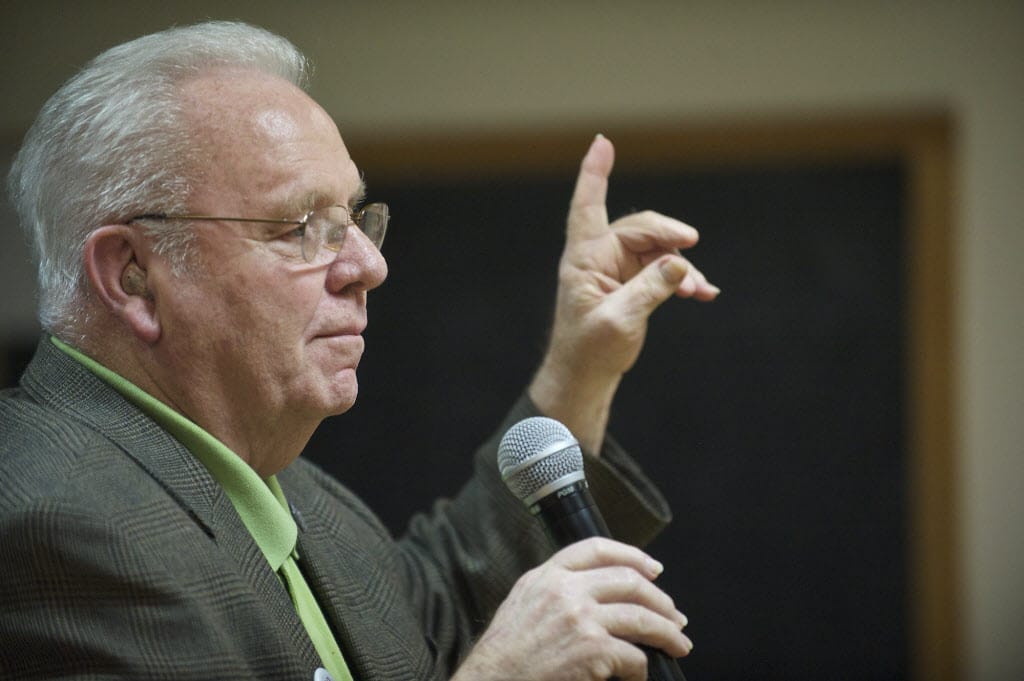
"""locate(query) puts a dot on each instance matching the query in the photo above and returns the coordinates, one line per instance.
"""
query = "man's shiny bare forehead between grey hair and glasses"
(264, 141)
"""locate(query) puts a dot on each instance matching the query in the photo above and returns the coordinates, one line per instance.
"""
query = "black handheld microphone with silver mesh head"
(542, 464)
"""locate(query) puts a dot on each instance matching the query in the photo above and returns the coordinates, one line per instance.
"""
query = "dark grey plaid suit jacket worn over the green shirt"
(122, 559)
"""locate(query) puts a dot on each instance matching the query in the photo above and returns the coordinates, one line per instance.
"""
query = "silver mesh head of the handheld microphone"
(535, 453)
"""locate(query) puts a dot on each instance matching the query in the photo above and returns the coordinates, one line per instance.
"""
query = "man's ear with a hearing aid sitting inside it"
(115, 258)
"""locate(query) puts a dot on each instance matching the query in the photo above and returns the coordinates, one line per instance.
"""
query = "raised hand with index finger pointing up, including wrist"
(612, 277)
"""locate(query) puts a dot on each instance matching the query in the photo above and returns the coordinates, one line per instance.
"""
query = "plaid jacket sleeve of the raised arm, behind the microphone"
(461, 561)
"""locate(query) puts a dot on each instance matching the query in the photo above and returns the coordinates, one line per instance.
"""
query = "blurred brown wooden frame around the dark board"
(924, 145)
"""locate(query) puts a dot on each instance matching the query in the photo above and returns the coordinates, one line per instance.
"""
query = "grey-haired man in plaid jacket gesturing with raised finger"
(205, 260)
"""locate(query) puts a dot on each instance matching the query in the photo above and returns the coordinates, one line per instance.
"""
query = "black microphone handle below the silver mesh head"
(571, 516)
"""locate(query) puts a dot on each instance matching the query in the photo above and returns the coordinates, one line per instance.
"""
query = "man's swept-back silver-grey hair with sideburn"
(113, 144)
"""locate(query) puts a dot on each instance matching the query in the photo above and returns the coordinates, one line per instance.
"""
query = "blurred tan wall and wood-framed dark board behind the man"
(840, 436)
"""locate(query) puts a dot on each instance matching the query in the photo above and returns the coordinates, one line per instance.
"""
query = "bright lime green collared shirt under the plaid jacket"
(261, 504)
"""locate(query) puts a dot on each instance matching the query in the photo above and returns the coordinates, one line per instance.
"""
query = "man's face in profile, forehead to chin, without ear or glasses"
(263, 334)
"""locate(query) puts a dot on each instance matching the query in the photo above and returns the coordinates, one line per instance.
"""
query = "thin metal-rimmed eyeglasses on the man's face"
(321, 232)
